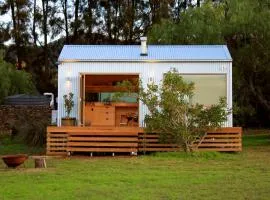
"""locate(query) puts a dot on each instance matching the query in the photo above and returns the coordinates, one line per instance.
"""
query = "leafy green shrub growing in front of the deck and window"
(174, 117)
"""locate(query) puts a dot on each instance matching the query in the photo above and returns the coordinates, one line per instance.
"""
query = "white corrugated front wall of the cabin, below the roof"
(69, 77)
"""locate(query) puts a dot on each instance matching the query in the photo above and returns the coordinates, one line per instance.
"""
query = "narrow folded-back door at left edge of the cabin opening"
(81, 101)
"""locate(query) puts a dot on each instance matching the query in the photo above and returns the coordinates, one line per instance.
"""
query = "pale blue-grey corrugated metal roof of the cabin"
(155, 53)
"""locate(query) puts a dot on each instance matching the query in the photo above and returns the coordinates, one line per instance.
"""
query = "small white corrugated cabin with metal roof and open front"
(92, 72)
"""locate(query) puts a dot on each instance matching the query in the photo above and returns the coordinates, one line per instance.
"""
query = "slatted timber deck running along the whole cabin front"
(63, 140)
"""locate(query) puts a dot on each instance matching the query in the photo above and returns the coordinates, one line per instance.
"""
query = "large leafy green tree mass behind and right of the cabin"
(243, 26)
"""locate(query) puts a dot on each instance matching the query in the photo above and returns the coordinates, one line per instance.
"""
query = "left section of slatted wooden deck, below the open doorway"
(92, 139)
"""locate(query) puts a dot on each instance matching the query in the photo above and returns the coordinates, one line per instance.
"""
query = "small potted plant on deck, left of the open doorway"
(68, 104)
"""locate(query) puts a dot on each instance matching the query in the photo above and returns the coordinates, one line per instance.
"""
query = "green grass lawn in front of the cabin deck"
(244, 175)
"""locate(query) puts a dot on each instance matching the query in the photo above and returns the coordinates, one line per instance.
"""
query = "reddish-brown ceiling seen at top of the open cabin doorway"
(108, 79)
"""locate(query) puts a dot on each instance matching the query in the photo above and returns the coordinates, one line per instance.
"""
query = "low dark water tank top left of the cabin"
(24, 99)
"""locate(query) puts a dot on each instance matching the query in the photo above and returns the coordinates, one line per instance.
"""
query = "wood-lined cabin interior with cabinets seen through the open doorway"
(107, 102)
